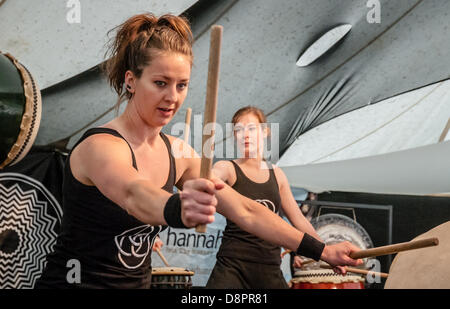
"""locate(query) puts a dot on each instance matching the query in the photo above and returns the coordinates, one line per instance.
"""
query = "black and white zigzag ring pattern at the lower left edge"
(21, 211)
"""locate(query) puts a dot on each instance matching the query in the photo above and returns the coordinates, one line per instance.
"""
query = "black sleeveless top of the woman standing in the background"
(239, 244)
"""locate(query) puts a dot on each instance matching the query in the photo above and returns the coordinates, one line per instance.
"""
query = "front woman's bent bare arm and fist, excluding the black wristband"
(104, 161)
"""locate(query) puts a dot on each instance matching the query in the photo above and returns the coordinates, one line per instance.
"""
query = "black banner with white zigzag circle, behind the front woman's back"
(30, 216)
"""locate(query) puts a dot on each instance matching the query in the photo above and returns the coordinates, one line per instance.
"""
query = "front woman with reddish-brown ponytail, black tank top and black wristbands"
(117, 190)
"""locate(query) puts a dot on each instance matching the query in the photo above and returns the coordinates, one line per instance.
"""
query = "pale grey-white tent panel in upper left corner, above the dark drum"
(38, 34)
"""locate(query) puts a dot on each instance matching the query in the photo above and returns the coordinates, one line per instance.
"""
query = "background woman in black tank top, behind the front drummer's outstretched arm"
(244, 260)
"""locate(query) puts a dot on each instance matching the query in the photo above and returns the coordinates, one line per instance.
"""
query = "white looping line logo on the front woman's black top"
(135, 245)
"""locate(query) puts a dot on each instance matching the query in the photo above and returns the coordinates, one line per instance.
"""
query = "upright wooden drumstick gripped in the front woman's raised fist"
(212, 89)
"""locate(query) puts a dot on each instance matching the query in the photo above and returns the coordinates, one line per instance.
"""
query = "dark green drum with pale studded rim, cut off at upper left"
(20, 110)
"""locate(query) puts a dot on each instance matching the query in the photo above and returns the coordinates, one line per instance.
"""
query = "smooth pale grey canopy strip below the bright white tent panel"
(418, 171)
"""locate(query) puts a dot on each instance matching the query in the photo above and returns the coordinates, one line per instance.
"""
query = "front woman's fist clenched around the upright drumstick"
(198, 201)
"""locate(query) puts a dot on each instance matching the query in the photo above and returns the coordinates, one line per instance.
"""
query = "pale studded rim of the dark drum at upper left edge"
(31, 117)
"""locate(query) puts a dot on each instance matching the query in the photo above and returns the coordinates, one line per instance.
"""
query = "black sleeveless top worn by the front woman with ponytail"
(113, 248)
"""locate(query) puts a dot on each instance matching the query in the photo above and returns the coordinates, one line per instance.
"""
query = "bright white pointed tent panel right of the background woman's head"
(410, 120)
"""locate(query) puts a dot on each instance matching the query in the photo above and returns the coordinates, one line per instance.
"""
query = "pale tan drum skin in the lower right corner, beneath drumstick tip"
(426, 268)
